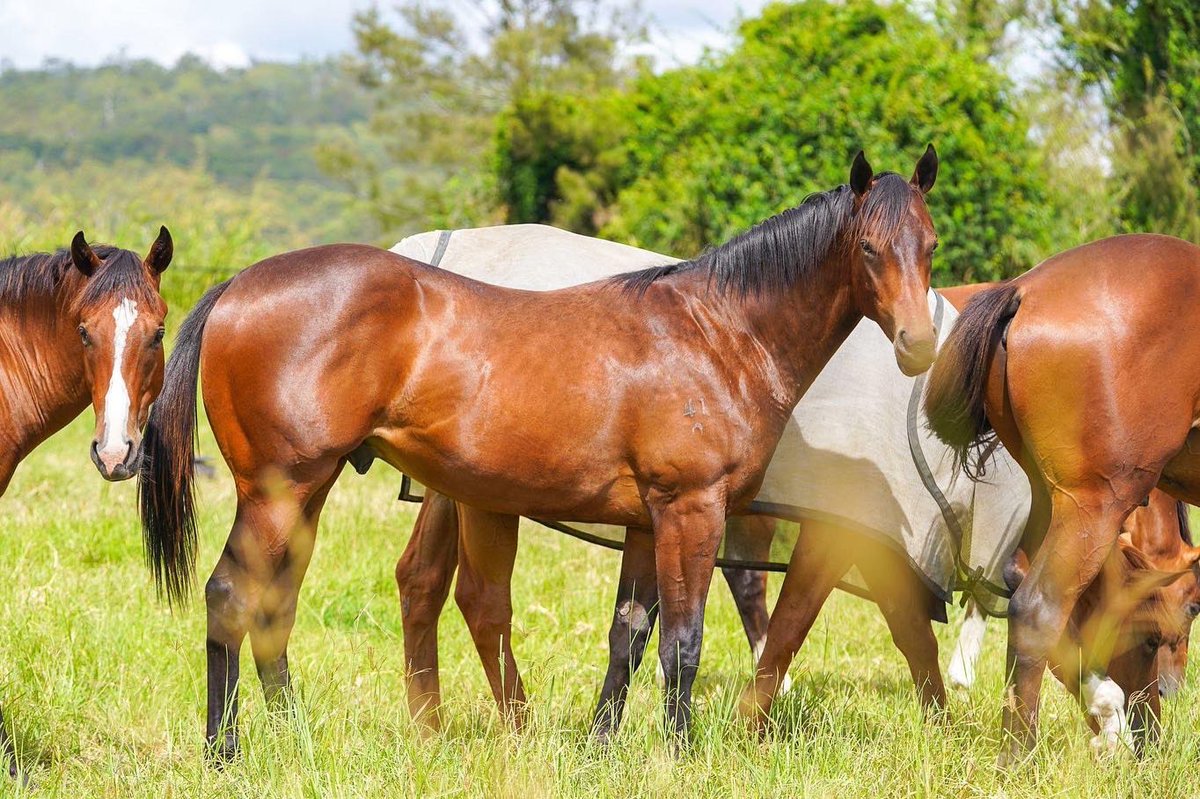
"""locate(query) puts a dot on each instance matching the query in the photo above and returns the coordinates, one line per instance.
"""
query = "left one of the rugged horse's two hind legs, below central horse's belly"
(424, 575)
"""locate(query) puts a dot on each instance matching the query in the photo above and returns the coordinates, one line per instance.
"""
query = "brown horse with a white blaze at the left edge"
(79, 327)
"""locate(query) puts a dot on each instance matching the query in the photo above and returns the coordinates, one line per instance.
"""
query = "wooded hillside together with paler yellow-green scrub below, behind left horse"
(226, 159)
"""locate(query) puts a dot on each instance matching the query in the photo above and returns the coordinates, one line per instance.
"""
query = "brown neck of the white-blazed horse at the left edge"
(41, 371)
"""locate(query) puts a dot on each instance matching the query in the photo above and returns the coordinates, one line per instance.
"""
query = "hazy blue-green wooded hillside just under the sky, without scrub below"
(262, 122)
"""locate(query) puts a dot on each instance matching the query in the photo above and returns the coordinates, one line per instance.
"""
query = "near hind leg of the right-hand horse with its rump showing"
(1084, 527)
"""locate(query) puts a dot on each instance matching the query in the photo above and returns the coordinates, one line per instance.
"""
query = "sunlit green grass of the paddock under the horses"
(105, 688)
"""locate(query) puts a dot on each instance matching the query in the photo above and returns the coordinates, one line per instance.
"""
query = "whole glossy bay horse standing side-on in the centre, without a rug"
(653, 400)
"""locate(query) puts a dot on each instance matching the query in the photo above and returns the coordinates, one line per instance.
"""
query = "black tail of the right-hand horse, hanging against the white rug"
(959, 379)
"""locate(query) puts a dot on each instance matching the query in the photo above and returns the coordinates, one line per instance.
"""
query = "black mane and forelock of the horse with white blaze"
(41, 275)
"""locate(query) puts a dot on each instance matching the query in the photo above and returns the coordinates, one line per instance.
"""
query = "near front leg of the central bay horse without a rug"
(687, 536)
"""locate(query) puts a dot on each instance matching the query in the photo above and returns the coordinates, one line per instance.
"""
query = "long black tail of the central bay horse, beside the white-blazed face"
(165, 478)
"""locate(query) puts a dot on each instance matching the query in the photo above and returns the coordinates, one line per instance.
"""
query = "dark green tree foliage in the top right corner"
(1144, 57)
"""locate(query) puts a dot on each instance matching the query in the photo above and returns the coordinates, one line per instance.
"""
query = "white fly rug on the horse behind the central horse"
(856, 452)
